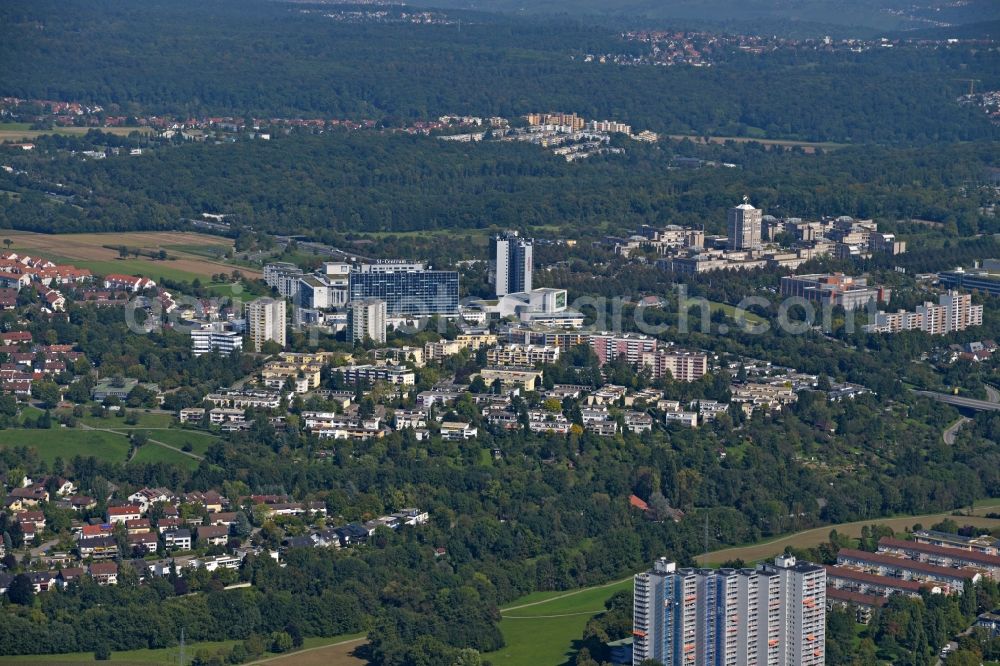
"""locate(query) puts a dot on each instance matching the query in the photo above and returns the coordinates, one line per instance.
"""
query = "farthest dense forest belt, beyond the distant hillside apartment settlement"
(271, 59)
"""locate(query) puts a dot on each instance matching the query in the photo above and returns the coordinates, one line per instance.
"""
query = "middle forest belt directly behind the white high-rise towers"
(357, 182)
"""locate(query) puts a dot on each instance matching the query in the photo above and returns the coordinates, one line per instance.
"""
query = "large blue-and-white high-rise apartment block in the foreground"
(774, 614)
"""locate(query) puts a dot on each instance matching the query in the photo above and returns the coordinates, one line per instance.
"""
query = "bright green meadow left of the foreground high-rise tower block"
(544, 632)
